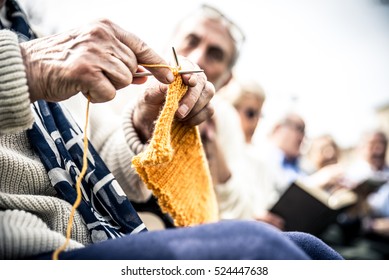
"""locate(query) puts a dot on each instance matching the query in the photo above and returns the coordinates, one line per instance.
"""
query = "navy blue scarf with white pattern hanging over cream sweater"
(58, 140)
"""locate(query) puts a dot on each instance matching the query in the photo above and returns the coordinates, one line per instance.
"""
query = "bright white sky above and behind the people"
(330, 56)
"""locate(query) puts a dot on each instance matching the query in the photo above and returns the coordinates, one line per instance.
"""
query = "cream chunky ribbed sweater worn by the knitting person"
(32, 219)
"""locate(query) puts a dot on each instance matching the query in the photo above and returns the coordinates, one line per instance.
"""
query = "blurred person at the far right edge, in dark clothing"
(362, 232)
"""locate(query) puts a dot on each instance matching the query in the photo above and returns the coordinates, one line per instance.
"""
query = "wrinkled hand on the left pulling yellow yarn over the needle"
(96, 60)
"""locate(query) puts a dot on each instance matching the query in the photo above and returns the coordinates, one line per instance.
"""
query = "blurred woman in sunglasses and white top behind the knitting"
(248, 97)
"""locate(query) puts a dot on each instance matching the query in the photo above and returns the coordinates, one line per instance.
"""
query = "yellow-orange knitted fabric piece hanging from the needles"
(175, 168)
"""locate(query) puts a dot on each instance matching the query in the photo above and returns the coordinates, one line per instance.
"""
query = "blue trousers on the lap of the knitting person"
(223, 240)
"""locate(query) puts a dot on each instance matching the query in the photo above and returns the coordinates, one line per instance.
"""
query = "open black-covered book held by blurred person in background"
(311, 210)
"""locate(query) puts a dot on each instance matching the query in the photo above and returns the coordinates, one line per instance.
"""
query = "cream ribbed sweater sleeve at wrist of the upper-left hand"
(15, 112)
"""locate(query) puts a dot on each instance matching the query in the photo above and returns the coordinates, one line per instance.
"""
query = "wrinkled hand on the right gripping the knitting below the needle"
(194, 107)
